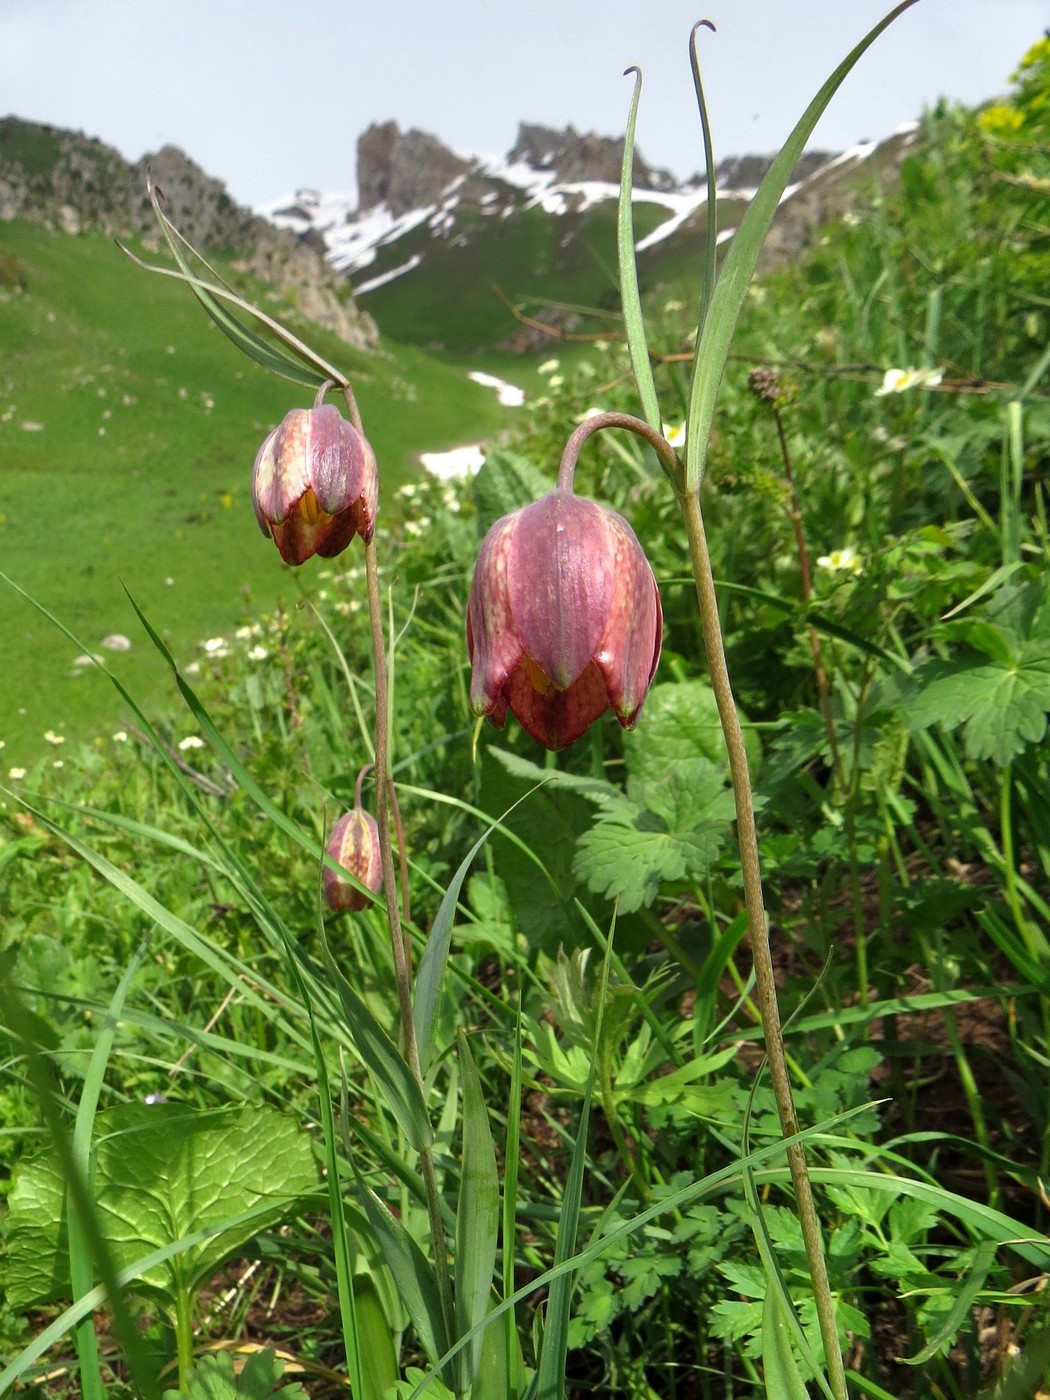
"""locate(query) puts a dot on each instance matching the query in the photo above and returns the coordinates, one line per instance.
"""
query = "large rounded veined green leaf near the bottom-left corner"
(162, 1172)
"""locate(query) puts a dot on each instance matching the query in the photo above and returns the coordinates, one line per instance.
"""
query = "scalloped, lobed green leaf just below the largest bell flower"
(632, 850)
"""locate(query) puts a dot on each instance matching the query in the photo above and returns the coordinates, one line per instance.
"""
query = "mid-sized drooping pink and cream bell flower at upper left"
(316, 485)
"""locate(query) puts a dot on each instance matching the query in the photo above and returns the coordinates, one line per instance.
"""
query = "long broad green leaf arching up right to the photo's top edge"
(731, 289)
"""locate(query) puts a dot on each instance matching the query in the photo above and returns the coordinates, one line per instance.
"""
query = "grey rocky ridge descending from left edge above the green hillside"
(71, 181)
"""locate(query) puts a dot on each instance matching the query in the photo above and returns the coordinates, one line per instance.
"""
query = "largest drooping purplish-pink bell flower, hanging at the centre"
(563, 619)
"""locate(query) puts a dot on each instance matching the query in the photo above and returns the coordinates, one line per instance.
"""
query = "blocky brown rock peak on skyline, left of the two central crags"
(404, 170)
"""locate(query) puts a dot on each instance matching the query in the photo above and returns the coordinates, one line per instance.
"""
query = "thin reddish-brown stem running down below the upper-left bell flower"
(400, 940)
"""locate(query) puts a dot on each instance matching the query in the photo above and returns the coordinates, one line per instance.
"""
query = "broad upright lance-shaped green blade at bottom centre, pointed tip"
(478, 1213)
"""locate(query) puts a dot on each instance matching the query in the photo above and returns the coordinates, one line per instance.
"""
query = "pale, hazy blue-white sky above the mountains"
(271, 96)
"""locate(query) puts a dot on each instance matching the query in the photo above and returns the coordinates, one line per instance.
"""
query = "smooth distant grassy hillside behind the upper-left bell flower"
(128, 432)
